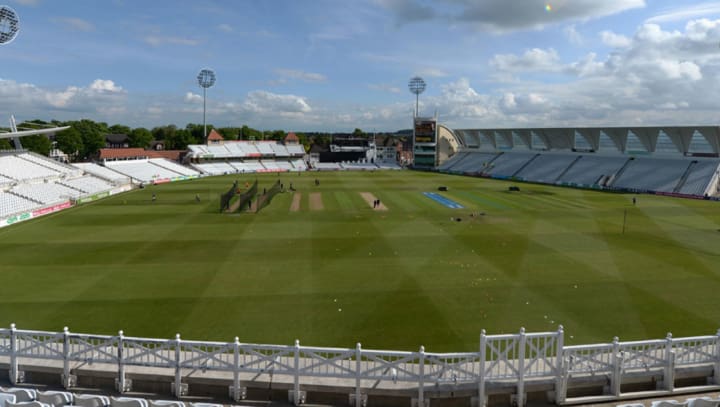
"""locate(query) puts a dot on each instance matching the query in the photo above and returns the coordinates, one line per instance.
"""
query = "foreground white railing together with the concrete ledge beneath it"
(508, 369)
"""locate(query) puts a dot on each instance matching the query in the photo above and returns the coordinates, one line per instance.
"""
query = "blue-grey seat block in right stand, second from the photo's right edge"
(652, 174)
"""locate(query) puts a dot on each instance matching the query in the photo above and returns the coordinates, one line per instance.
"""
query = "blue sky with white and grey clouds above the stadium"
(334, 65)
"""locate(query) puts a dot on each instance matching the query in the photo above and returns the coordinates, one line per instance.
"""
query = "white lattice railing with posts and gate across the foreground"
(508, 358)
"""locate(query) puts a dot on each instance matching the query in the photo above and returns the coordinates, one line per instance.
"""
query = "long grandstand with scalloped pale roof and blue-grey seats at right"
(681, 161)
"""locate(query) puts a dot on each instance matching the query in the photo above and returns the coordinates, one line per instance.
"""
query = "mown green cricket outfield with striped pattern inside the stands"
(403, 278)
